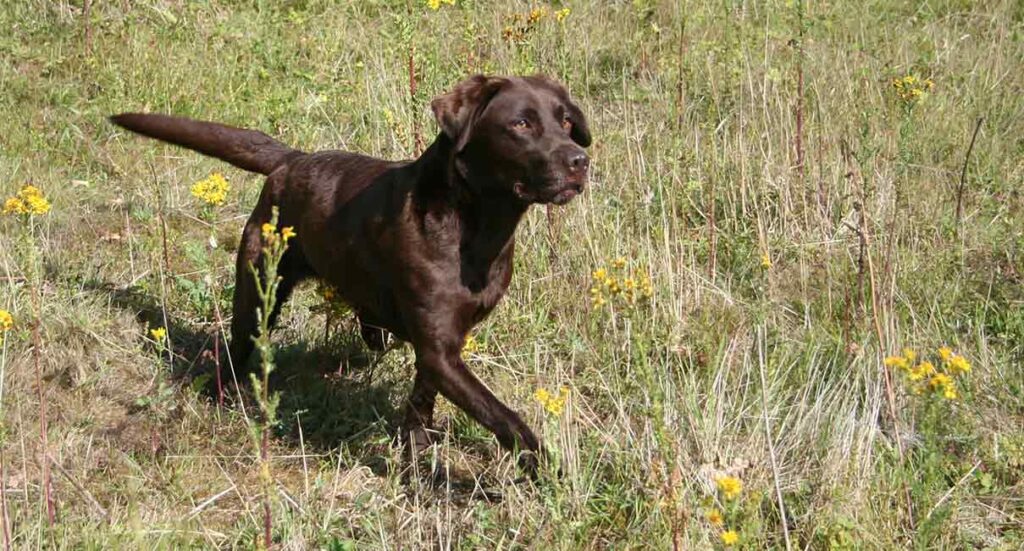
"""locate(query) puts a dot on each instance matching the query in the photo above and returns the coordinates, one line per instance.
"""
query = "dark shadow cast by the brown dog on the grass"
(352, 410)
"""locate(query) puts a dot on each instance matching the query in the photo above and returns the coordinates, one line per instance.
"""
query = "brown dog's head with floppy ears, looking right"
(523, 136)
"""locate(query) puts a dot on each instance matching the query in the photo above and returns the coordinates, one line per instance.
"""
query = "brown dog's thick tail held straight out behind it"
(248, 150)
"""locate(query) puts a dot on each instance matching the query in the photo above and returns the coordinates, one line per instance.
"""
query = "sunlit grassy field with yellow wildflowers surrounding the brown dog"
(789, 176)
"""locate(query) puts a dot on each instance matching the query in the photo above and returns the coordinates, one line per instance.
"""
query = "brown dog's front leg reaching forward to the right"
(444, 370)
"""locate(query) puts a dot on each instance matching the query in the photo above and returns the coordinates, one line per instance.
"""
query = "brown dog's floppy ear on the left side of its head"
(457, 111)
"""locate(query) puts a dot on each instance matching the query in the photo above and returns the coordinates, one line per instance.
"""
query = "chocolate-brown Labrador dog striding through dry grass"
(419, 249)
